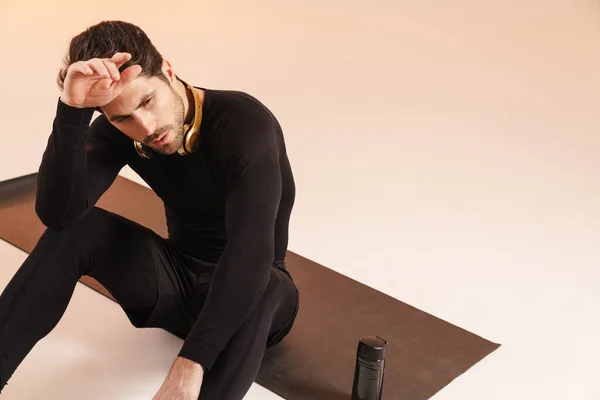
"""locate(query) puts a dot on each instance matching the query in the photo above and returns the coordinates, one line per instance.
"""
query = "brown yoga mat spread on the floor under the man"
(316, 360)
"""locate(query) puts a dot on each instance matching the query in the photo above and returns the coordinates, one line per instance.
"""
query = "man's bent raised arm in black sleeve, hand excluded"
(75, 172)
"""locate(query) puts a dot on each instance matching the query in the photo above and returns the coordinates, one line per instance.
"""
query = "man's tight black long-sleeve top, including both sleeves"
(228, 203)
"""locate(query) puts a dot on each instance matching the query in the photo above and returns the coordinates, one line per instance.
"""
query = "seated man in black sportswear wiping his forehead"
(218, 161)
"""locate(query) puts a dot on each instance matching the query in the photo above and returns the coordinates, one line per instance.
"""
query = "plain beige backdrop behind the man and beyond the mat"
(445, 152)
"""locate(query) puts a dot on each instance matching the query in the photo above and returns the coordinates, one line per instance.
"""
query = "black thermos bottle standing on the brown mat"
(370, 366)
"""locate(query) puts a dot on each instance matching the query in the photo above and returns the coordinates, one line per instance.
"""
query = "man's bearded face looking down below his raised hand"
(150, 111)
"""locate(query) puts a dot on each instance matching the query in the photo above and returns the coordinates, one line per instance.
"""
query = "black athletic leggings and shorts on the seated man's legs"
(155, 285)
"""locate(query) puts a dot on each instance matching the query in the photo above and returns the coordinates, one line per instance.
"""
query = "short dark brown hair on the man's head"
(105, 39)
